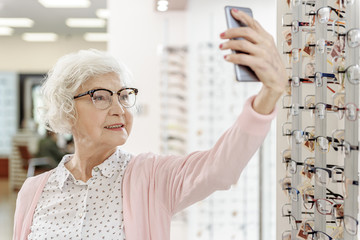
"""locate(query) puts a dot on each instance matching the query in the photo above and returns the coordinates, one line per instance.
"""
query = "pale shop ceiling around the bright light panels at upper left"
(53, 20)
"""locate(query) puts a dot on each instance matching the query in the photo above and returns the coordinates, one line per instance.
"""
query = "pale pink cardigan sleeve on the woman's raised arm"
(179, 181)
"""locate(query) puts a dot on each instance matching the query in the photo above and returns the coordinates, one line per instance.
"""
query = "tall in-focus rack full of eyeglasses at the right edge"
(322, 40)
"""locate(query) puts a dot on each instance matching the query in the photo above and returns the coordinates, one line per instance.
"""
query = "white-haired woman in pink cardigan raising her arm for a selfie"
(103, 192)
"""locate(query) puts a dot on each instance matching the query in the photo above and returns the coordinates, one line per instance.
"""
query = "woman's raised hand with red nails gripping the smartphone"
(253, 47)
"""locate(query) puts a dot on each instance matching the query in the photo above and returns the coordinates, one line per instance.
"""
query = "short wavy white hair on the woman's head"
(66, 77)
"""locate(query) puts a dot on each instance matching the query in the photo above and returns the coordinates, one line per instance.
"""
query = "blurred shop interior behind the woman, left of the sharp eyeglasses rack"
(171, 48)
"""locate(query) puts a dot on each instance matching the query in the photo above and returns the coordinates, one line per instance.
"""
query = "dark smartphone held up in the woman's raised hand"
(243, 73)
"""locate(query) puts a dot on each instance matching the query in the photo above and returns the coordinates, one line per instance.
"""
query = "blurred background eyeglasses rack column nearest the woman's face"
(173, 100)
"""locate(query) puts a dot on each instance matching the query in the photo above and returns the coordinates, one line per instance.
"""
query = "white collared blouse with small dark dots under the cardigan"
(73, 209)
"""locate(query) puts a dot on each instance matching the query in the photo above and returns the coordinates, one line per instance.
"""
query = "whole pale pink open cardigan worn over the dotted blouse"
(155, 187)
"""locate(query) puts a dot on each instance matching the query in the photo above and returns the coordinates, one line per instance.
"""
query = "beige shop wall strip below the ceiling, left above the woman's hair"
(27, 57)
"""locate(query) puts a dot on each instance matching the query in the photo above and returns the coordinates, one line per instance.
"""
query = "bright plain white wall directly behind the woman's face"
(137, 34)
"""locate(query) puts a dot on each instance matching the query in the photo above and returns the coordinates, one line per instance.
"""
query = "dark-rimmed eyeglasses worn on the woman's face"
(102, 98)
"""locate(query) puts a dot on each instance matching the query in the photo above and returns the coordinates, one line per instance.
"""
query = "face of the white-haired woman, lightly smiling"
(99, 126)
